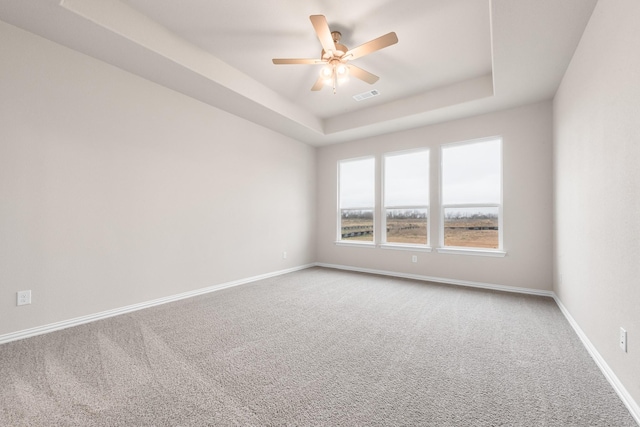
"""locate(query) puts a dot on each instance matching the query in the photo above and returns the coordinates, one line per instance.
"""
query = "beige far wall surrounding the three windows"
(527, 133)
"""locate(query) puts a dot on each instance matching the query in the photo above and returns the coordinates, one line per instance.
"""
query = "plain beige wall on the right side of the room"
(597, 186)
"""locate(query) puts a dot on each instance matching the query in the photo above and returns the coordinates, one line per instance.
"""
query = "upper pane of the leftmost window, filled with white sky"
(357, 183)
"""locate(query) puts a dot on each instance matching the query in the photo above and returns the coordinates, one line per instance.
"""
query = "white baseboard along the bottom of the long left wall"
(39, 330)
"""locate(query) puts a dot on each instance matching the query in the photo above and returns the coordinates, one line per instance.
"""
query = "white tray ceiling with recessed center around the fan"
(454, 58)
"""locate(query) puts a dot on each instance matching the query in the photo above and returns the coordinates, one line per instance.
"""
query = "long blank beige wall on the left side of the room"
(116, 191)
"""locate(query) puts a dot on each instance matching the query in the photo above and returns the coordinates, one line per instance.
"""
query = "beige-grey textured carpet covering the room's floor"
(317, 347)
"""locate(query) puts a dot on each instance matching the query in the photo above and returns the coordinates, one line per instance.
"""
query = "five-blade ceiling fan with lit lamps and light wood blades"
(335, 56)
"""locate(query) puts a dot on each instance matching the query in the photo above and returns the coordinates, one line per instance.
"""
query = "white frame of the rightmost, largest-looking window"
(464, 250)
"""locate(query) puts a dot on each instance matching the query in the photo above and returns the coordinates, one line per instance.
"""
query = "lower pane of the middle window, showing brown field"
(407, 226)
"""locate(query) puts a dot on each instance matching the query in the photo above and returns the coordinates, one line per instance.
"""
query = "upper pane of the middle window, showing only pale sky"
(406, 179)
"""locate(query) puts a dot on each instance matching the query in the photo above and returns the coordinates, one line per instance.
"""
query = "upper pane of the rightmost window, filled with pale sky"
(471, 173)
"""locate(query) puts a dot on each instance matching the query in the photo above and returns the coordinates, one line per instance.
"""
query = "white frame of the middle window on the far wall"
(384, 207)
